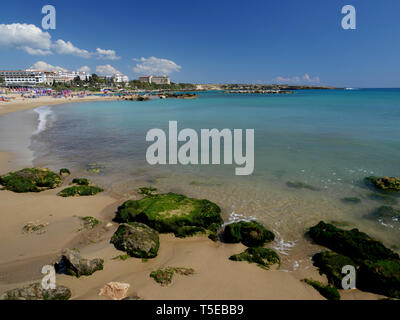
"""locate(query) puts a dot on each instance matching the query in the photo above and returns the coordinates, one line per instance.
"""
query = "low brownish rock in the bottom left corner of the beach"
(35, 291)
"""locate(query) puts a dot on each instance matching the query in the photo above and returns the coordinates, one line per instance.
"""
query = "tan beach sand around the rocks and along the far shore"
(22, 255)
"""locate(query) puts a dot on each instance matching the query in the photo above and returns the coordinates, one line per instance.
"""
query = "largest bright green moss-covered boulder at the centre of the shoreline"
(171, 212)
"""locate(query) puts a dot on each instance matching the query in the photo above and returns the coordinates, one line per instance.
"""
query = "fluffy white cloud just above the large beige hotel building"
(155, 66)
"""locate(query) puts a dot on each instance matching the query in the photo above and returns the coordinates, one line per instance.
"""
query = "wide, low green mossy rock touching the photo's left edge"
(30, 180)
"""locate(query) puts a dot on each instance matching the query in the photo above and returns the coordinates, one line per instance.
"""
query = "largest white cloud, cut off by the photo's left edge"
(25, 37)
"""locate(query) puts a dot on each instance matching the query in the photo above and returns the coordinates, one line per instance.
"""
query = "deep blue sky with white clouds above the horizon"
(265, 41)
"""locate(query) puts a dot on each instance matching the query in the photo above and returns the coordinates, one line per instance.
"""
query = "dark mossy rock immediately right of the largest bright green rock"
(251, 234)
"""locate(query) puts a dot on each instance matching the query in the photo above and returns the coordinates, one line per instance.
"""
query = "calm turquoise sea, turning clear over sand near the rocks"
(329, 139)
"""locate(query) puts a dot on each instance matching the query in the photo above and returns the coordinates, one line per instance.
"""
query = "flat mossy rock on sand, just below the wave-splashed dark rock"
(263, 257)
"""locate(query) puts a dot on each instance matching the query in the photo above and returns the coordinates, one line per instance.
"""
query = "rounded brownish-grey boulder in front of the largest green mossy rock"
(136, 239)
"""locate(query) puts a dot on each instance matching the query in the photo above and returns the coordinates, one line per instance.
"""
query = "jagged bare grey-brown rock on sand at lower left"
(73, 264)
